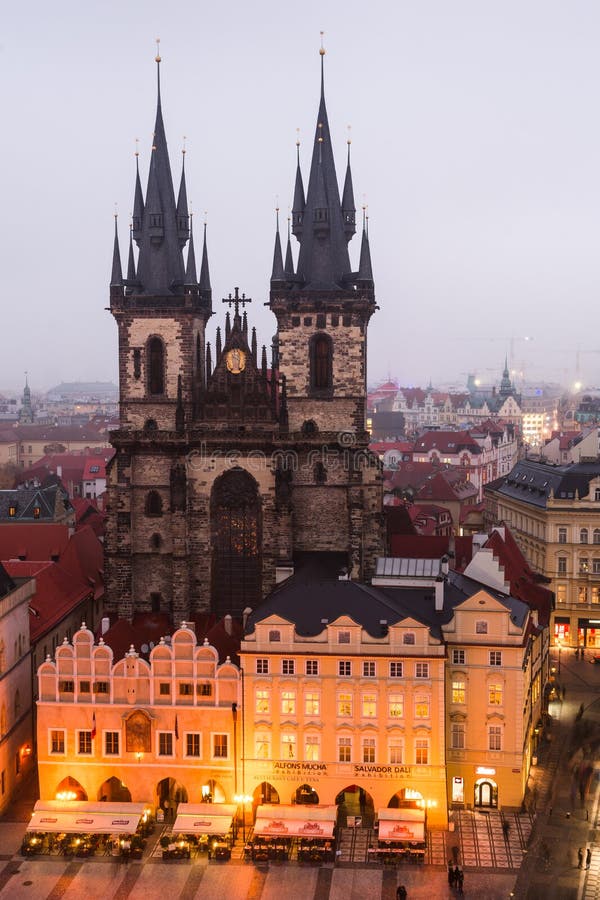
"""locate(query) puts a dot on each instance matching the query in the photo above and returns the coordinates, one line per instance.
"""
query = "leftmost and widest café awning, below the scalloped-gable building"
(84, 817)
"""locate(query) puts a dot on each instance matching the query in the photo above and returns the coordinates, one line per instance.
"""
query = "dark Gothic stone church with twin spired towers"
(229, 471)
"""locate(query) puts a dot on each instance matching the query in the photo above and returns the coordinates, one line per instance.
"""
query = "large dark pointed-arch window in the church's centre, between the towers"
(236, 543)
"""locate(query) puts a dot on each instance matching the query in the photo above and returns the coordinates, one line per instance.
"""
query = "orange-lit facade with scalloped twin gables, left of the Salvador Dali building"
(159, 730)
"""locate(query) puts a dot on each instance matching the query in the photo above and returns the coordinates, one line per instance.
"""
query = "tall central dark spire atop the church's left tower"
(160, 264)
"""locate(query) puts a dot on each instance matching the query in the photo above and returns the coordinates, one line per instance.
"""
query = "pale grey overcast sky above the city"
(475, 140)
